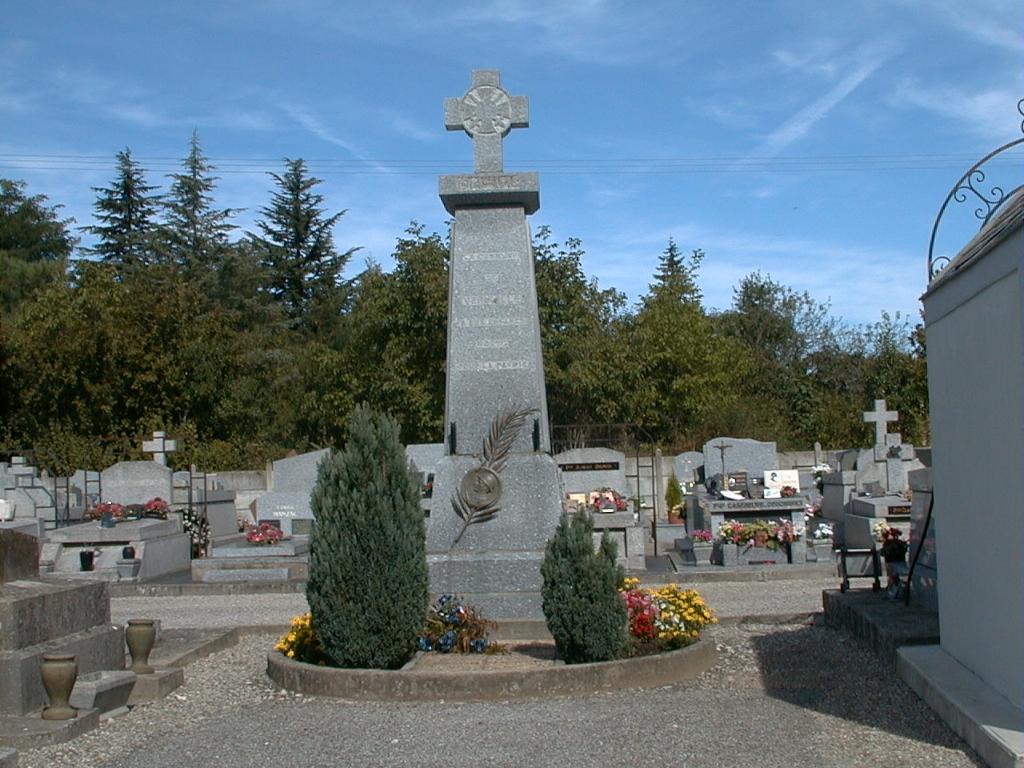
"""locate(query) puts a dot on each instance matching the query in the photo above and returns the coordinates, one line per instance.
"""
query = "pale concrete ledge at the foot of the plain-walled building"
(979, 715)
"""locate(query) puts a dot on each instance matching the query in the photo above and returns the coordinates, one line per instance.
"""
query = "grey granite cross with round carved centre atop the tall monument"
(487, 113)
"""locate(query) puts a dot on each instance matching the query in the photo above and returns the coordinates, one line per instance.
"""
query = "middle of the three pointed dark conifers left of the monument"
(196, 233)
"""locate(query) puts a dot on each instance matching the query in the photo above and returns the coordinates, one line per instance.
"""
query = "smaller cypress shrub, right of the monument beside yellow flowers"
(584, 611)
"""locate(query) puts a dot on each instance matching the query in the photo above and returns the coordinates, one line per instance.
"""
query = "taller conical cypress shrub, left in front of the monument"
(368, 568)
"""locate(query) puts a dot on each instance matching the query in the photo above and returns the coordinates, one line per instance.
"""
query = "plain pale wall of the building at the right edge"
(976, 377)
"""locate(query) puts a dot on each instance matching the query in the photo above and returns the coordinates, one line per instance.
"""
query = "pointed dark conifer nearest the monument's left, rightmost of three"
(297, 249)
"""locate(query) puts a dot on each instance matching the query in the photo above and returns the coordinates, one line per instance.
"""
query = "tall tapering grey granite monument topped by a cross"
(496, 494)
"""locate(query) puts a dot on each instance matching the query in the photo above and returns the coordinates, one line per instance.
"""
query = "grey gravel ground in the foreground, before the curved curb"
(782, 696)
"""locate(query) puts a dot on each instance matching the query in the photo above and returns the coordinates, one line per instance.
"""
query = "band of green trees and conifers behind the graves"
(249, 349)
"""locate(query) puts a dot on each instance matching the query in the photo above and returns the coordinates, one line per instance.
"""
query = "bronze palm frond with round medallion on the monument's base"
(481, 490)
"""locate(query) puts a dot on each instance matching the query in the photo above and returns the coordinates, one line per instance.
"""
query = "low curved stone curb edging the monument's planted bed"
(566, 680)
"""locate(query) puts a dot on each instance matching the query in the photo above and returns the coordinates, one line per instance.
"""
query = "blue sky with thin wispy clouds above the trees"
(814, 142)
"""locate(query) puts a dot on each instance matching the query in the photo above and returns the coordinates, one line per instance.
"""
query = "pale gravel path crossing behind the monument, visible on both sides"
(729, 600)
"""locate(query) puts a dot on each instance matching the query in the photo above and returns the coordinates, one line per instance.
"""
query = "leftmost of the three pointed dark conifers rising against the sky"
(127, 216)
